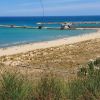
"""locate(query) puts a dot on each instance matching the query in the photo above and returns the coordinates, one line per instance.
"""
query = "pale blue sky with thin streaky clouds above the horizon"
(51, 7)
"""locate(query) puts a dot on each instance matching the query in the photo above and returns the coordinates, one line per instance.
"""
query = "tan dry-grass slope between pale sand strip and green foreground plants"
(63, 60)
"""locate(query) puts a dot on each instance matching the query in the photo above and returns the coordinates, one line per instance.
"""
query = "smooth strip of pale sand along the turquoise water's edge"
(41, 45)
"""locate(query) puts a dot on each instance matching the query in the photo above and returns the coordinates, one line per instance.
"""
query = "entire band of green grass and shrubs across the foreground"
(13, 86)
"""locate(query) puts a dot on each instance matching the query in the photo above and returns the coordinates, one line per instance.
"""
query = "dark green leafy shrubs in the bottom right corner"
(87, 84)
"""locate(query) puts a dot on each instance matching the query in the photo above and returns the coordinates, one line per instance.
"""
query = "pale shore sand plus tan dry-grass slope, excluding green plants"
(63, 56)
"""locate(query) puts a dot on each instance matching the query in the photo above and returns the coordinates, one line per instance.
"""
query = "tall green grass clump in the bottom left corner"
(14, 87)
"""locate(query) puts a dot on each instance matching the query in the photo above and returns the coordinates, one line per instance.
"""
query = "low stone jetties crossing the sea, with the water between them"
(62, 25)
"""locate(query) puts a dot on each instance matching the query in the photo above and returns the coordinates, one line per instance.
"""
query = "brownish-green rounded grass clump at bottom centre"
(50, 88)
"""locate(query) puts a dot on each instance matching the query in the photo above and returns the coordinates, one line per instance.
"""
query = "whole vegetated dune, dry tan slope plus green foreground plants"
(58, 73)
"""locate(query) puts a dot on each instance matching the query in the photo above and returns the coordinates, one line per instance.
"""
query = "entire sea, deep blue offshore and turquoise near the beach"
(17, 36)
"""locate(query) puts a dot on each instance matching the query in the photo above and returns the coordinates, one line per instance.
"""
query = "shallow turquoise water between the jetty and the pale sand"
(15, 36)
